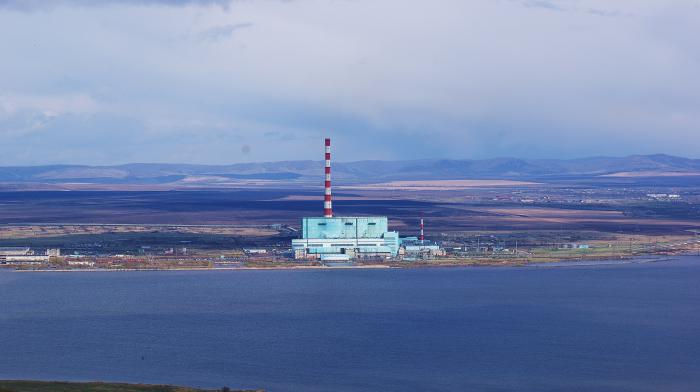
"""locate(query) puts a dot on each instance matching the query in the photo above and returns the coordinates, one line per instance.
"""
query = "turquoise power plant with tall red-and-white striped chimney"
(330, 238)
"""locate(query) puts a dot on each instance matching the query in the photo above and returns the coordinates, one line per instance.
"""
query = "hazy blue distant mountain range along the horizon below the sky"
(358, 172)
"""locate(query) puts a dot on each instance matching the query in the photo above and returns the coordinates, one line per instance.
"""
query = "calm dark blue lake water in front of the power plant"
(632, 327)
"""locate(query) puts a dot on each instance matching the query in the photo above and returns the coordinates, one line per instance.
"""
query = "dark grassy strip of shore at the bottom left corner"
(54, 386)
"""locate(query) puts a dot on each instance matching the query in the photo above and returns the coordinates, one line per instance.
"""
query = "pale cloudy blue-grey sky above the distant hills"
(215, 82)
